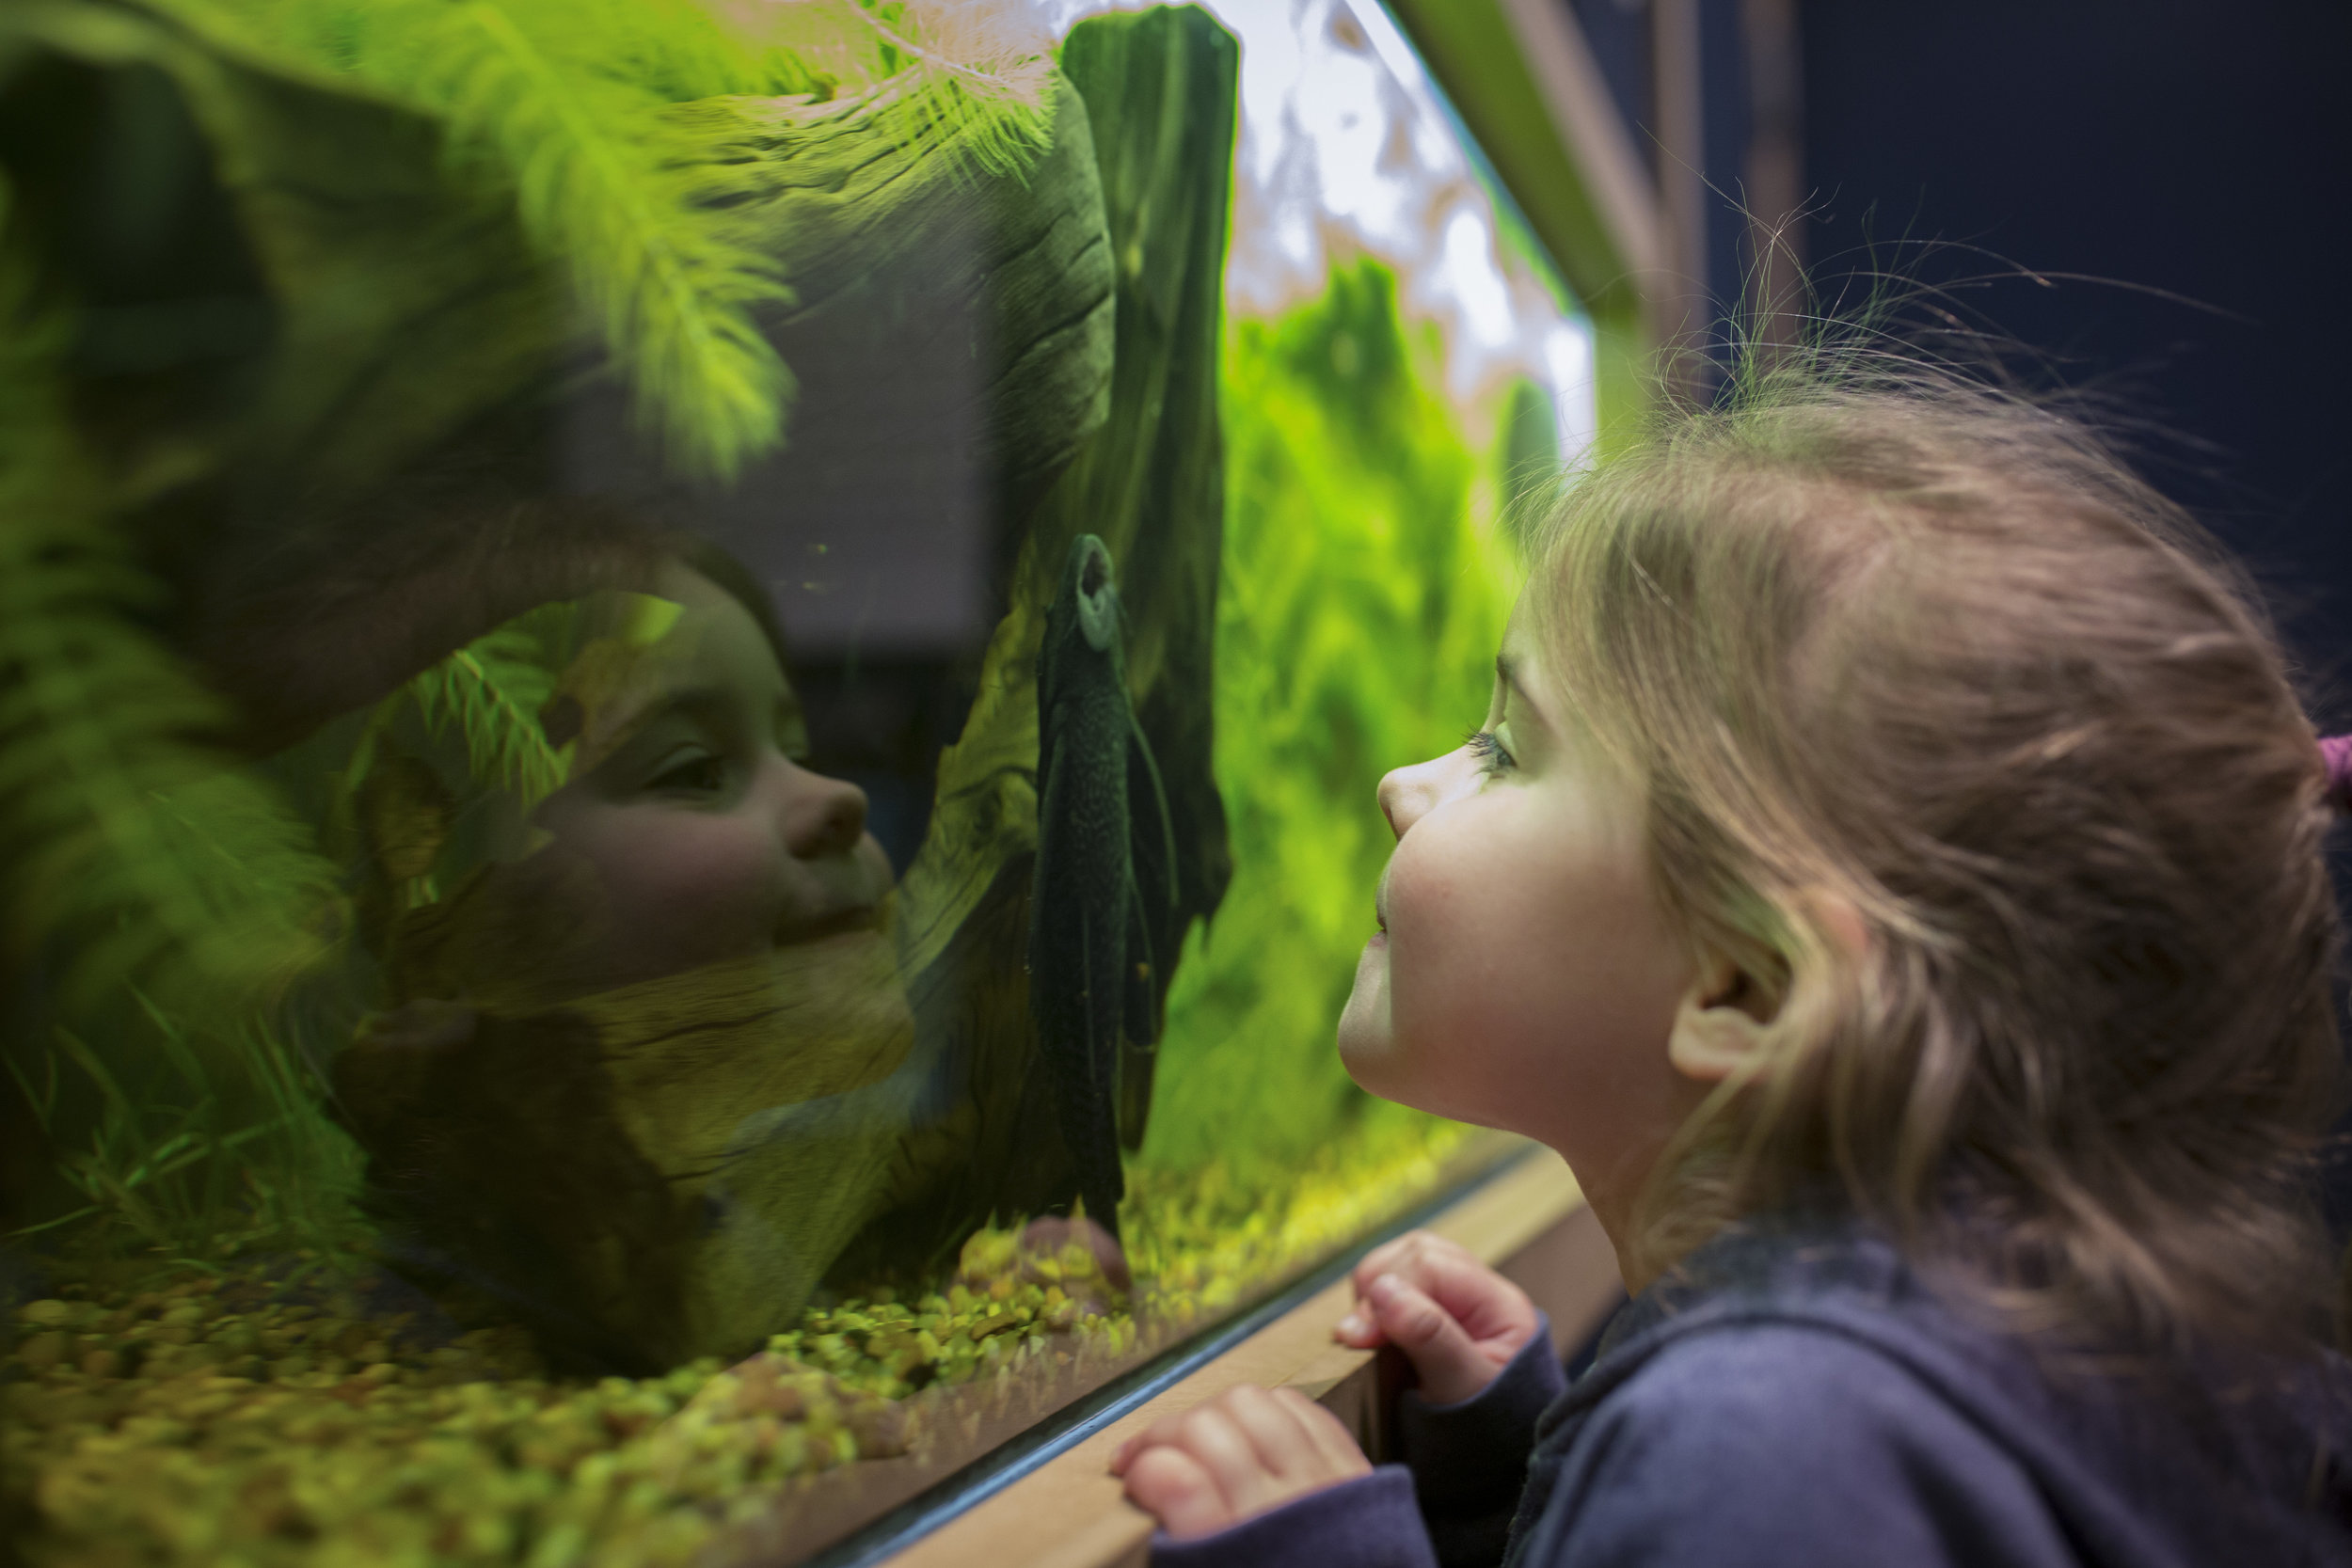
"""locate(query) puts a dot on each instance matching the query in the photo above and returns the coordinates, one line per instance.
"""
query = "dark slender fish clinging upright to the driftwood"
(1107, 885)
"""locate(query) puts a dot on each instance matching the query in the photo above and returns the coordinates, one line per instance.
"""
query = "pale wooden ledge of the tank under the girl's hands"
(1069, 1513)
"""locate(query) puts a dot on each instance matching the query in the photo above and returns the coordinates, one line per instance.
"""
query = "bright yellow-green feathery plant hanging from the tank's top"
(575, 109)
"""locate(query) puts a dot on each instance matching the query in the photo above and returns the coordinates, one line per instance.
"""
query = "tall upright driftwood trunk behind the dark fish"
(1161, 98)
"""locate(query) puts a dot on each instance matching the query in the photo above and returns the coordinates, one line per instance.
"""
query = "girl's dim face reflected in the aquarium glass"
(704, 836)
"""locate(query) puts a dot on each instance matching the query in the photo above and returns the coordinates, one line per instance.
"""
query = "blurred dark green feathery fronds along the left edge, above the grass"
(119, 833)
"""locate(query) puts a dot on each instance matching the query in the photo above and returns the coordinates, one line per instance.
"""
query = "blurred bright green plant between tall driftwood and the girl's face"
(1361, 601)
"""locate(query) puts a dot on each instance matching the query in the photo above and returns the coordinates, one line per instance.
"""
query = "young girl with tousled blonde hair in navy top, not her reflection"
(1892, 876)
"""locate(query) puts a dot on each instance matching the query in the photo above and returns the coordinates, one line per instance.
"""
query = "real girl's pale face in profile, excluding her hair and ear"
(1525, 974)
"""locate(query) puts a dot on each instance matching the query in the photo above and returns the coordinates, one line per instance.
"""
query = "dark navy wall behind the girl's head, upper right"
(2174, 173)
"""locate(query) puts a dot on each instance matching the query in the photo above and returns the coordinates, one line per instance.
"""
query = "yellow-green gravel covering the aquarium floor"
(185, 1423)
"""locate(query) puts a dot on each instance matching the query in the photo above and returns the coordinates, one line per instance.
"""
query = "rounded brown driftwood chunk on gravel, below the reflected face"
(650, 1174)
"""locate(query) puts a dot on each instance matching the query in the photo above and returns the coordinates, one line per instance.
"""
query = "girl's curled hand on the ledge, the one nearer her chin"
(1457, 1320)
